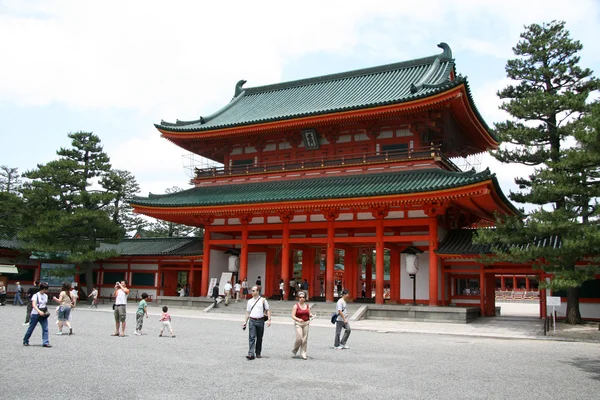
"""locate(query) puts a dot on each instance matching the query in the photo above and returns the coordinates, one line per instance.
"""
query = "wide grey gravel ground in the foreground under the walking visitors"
(207, 361)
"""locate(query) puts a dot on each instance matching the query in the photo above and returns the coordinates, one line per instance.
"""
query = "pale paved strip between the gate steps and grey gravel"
(521, 324)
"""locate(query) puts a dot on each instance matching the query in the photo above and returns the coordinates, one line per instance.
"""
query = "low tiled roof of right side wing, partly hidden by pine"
(460, 241)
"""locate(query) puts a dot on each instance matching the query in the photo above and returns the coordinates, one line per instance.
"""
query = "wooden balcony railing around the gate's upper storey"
(429, 152)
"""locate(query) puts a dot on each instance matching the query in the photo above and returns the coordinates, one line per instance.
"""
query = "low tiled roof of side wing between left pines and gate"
(156, 246)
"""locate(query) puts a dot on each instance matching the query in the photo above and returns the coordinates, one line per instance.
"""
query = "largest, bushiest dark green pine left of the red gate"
(65, 211)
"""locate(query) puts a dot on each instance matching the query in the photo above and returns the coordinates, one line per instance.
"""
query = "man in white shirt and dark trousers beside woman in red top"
(256, 310)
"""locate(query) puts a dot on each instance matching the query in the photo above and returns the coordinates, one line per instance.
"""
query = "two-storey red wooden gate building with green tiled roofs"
(355, 160)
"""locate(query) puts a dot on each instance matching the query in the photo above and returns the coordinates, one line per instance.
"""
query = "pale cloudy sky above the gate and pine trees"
(117, 67)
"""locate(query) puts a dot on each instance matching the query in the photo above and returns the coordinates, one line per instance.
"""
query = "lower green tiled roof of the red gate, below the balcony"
(333, 187)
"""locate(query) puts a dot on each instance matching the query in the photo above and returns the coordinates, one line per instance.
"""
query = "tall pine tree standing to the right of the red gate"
(552, 128)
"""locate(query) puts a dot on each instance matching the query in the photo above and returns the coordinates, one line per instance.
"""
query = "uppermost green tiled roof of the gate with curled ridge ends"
(364, 88)
